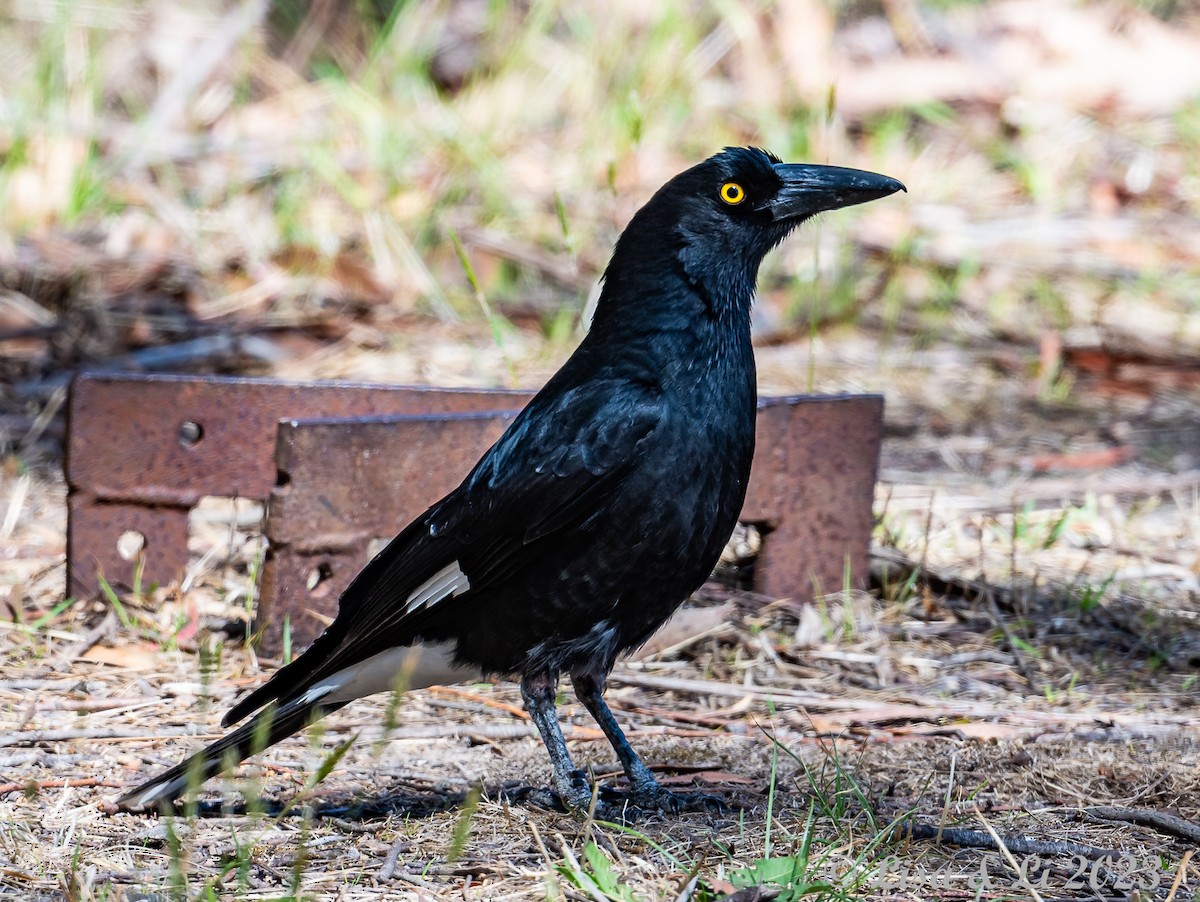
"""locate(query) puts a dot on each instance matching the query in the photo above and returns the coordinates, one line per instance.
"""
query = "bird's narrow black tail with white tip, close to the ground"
(267, 729)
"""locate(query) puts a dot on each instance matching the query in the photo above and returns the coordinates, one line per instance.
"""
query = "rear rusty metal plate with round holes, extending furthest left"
(142, 450)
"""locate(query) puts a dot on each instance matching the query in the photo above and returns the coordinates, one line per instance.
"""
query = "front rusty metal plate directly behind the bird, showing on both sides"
(345, 484)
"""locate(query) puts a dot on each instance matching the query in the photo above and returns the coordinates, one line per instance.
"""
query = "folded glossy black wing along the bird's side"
(553, 471)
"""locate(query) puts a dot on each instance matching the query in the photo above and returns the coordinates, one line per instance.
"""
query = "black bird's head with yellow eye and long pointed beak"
(719, 219)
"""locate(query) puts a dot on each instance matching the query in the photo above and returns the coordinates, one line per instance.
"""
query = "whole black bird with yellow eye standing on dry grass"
(603, 507)
